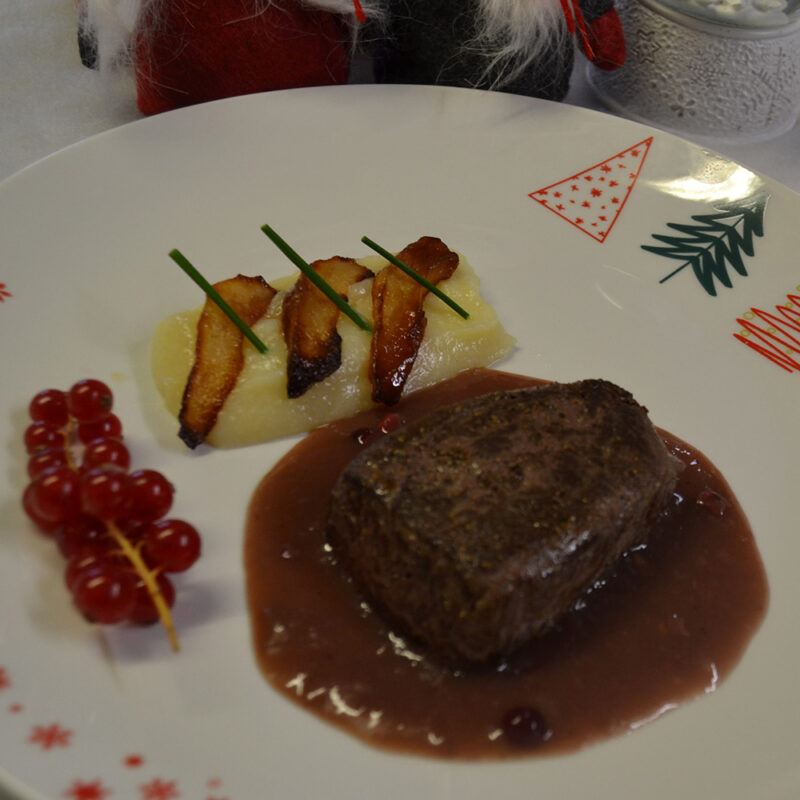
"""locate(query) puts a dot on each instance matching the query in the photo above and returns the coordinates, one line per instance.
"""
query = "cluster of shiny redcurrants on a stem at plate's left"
(109, 523)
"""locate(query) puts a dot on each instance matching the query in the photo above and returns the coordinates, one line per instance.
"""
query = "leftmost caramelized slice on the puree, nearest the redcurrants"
(218, 356)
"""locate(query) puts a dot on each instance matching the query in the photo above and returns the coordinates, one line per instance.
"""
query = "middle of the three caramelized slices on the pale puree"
(314, 346)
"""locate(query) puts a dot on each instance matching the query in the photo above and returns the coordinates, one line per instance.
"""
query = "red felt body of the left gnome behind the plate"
(192, 51)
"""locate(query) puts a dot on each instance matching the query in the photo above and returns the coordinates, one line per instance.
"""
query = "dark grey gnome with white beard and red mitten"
(520, 46)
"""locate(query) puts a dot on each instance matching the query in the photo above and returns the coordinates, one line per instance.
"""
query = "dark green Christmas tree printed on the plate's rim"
(716, 244)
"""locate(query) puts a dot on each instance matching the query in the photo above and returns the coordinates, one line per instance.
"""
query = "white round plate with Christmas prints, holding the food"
(84, 278)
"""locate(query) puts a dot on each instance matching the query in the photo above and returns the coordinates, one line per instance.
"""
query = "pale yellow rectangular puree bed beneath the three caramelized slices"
(258, 408)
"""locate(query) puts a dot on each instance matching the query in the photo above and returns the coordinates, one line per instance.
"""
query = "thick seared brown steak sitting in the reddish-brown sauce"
(476, 528)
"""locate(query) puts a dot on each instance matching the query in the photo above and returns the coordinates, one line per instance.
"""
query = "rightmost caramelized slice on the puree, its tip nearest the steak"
(398, 319)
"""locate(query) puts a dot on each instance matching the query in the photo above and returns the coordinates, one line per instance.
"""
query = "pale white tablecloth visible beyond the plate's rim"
(50, 100)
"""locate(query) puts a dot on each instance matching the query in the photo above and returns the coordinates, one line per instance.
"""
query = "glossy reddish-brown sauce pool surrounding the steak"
(670, 622)
